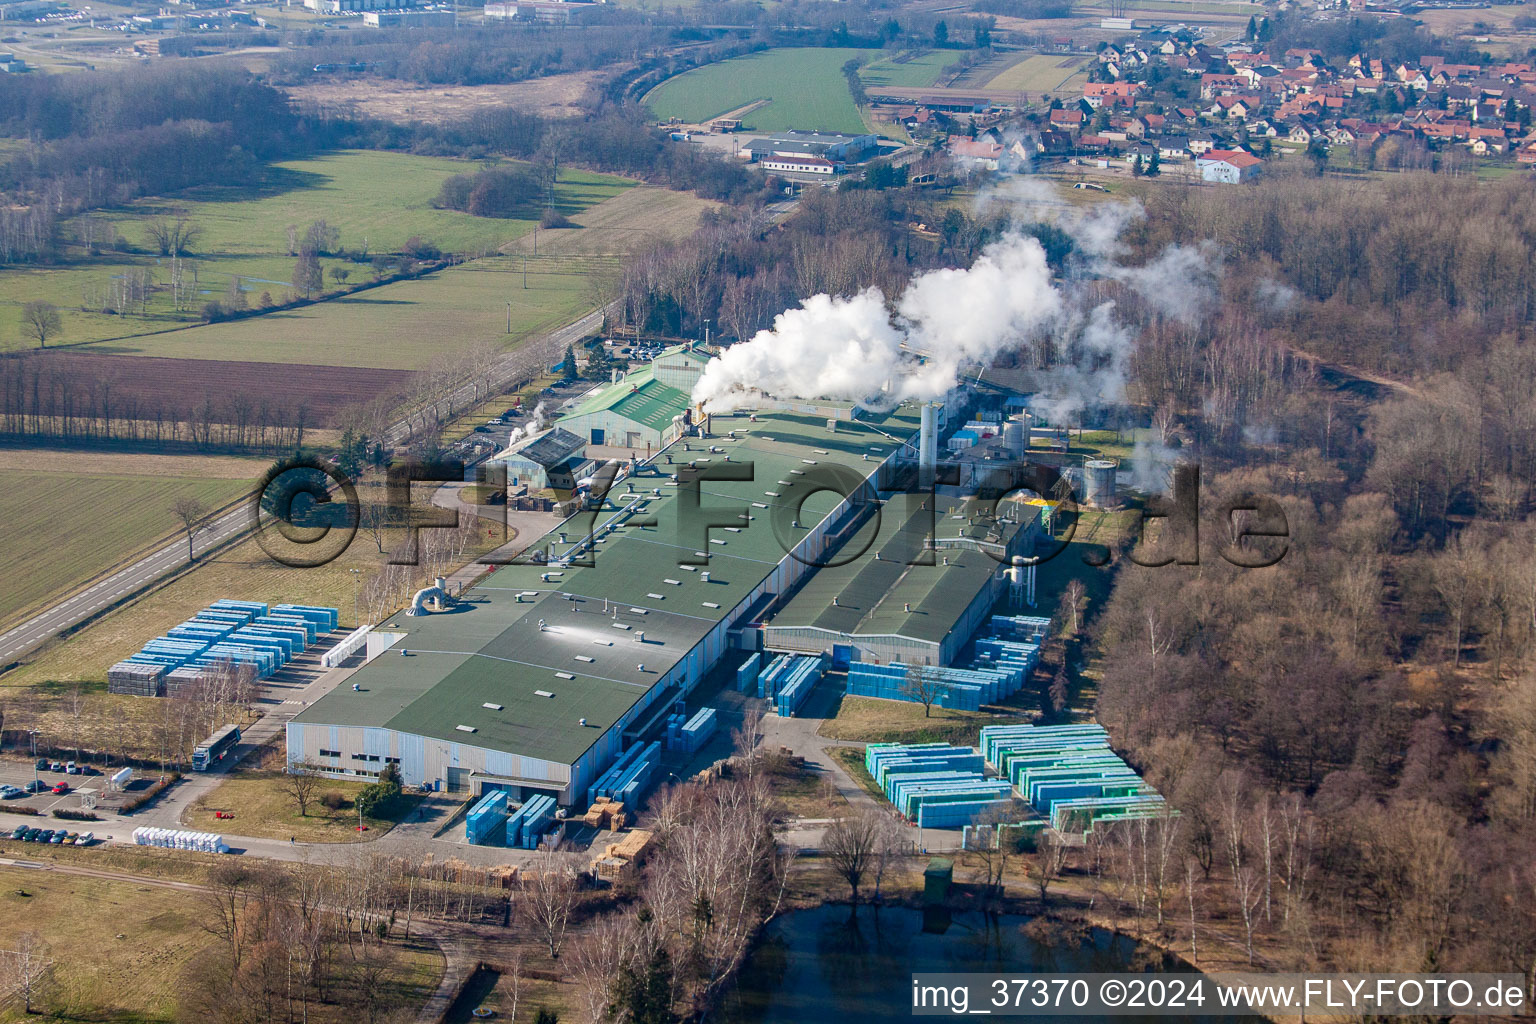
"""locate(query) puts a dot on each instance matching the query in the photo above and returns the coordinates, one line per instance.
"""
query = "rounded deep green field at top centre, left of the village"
(804, 87)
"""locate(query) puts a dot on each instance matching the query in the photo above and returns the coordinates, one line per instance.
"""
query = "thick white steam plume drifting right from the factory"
(856, 349)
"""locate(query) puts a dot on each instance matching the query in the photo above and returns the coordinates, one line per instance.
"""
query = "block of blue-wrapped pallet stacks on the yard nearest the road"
(227, 632)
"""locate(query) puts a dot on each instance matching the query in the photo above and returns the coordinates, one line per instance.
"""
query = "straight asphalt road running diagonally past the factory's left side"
(124, 583)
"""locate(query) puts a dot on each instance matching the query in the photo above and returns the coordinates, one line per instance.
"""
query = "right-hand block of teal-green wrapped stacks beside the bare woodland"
(1071, 775)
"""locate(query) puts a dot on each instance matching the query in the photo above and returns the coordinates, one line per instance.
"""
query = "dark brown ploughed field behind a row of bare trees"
(184, 385)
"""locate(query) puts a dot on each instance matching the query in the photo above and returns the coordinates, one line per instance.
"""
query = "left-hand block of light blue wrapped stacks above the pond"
(936, 785)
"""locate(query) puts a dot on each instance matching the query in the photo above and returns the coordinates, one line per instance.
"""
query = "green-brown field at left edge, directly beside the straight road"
(67, 527)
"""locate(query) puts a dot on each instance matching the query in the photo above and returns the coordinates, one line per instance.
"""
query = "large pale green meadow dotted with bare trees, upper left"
(377, 200)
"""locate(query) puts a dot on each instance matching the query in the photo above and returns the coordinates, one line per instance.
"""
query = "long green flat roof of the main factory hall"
(492, 650)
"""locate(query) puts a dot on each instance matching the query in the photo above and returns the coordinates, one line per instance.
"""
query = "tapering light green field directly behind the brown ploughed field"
(399, 326)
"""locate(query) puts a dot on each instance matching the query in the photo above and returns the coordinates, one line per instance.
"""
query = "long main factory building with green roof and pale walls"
(540, 678)
